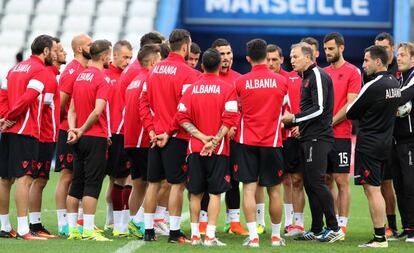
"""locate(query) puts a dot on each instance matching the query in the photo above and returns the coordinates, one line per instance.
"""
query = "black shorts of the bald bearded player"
(64, 153)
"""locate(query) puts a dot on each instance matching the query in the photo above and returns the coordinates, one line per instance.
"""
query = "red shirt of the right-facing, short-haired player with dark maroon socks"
(115, 101)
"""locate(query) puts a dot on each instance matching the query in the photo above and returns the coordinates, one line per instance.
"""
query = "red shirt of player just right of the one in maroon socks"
(135, 135)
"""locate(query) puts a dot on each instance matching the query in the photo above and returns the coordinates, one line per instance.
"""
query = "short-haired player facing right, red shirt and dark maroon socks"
(118, 164)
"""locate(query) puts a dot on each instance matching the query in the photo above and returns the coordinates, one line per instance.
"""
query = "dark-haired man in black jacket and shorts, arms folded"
(375, 108)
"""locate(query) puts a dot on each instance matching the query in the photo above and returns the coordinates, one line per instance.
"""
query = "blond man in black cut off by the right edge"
(403, 148)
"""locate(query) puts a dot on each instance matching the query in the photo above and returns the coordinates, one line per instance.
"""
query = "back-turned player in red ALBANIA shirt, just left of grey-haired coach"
(259, 160)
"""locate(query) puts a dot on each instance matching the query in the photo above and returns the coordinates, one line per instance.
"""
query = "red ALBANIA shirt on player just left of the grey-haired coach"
(261, 94)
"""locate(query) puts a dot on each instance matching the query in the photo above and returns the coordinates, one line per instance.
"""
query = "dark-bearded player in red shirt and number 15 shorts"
(346, 80)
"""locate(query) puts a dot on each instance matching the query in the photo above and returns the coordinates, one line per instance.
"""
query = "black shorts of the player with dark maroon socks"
(117, 165)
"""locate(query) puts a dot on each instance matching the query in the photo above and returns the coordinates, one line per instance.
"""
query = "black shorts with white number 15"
(339, 159)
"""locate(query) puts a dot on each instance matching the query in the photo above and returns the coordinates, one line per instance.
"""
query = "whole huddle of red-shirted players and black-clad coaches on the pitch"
(157, 126)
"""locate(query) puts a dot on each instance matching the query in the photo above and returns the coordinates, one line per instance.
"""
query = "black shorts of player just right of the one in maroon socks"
(139, 162)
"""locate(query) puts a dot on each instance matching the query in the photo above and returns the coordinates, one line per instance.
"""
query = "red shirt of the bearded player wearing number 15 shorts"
(345, 79)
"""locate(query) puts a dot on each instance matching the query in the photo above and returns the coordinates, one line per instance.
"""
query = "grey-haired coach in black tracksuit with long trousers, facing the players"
(316, 139)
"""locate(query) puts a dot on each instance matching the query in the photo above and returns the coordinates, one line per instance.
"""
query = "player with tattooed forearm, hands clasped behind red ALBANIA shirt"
(208, 169)
